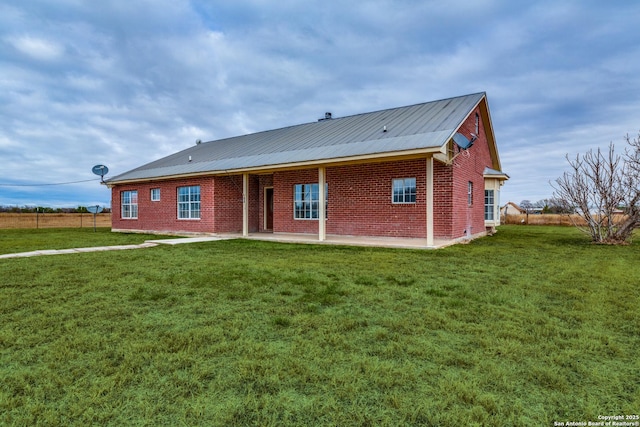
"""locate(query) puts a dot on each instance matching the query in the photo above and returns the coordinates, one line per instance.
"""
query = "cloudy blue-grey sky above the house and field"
(124, 82)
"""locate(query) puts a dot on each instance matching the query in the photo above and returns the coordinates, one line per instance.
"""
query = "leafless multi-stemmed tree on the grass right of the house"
(604, 188)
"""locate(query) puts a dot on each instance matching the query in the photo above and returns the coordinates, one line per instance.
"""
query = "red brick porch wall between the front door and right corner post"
(359, 200)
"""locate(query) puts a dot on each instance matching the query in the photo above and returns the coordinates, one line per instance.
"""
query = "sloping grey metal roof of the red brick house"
(420, 126)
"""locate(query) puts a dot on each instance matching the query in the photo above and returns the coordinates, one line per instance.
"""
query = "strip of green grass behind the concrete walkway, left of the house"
(21, 240)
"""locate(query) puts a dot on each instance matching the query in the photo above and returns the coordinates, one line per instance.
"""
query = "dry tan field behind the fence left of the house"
(53, 220)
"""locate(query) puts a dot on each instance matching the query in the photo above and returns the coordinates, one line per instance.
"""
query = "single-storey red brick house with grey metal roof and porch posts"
(429, 171)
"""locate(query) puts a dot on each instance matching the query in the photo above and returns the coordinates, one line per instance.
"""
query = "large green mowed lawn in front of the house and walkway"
(530, 326)
